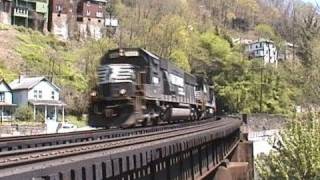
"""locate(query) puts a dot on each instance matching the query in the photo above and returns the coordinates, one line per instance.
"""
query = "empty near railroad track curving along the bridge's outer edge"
(33, 155)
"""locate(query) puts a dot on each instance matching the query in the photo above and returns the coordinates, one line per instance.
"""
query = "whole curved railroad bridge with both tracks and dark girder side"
(197, 150)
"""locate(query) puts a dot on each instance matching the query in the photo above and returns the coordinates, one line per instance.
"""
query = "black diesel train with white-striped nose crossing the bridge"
(137, 87)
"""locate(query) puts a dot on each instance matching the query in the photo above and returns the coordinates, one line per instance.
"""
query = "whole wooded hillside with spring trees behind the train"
(196, 35)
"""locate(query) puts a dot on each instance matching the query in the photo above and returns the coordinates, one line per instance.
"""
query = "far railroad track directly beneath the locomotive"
(44, 140)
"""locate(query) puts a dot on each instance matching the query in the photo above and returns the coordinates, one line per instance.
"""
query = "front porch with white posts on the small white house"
(49, 110)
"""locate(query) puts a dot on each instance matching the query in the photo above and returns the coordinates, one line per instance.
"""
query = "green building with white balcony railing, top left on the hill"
(31, 13)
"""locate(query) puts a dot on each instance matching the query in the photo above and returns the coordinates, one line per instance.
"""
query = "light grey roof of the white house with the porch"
(29, 82)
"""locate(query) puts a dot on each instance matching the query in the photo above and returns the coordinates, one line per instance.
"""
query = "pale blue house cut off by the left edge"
(7, 108)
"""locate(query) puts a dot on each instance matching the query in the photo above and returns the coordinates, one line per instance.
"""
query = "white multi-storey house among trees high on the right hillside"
(264, 49)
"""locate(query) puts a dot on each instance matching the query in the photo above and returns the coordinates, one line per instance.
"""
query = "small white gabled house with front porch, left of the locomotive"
(41, 94)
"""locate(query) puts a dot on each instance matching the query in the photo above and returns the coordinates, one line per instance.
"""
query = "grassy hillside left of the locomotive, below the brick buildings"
(71, 65)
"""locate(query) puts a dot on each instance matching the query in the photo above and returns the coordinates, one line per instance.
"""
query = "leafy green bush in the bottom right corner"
(296, 154)
